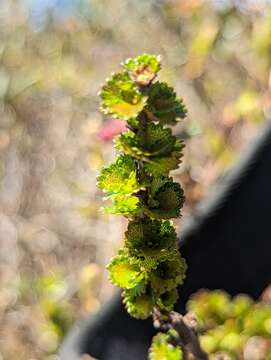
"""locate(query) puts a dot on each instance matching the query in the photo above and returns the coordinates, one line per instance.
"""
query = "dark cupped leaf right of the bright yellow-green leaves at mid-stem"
(166, 198)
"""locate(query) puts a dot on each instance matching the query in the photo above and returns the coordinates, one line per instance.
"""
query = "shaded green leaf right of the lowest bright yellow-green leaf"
(168, 274)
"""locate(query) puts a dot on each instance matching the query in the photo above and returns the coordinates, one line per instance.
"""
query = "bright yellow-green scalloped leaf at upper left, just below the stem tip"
(121, 97)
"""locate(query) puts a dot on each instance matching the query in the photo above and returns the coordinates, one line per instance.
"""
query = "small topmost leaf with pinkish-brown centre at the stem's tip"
(143, 69)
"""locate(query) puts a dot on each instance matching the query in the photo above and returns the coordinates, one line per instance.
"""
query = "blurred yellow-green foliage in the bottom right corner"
(236, 327)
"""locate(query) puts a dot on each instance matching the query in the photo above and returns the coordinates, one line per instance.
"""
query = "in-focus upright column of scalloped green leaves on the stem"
(149, 266)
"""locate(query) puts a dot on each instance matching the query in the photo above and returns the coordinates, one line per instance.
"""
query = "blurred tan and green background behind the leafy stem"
(54, 56)
